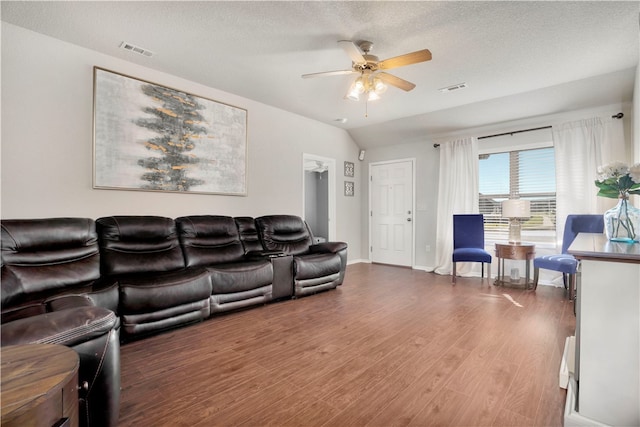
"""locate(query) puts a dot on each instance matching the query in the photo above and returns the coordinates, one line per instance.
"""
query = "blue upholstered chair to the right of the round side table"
(564, 262)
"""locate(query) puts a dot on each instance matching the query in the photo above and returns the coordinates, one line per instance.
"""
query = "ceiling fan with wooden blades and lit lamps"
(372, 80)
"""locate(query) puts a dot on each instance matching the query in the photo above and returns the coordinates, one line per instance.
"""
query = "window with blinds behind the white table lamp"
(521, 174)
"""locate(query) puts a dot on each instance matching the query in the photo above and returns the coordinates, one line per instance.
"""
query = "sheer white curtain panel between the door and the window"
(457, 194)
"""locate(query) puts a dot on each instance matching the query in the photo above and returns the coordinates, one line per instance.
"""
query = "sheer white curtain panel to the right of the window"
(581, 147)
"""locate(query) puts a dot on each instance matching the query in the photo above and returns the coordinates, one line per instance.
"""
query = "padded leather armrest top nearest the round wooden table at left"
(67, 327)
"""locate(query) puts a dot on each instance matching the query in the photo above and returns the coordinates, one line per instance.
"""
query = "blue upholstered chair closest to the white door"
(468, 242)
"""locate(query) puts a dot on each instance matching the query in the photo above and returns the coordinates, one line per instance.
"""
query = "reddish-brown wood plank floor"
(391, 346)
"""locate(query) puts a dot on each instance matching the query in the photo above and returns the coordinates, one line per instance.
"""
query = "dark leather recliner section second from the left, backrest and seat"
(157, 292)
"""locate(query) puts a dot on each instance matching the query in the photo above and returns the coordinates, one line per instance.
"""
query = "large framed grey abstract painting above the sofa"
(150, 137)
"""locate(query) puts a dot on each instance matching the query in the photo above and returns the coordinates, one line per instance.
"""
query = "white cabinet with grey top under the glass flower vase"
(604, 385)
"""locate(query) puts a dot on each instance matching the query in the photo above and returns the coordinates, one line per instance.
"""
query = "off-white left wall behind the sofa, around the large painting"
(47, 102)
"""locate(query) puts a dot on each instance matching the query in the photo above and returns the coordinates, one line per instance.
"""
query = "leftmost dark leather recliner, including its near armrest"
(51, 295)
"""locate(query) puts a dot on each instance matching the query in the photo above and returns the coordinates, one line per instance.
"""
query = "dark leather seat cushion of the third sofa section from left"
(240, 276)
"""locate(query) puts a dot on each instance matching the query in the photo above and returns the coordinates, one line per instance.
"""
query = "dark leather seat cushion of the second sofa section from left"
(145, 293)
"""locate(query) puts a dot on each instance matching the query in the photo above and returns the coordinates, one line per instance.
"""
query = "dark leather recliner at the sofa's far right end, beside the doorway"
(316, 267)
